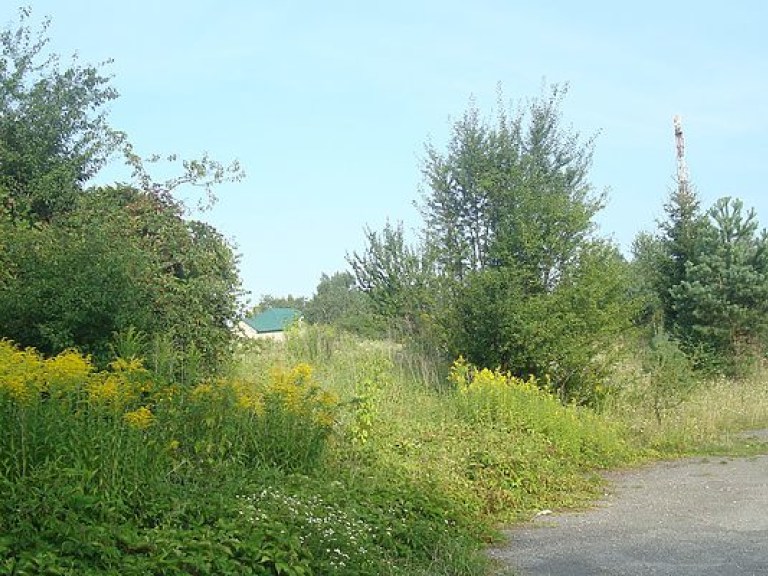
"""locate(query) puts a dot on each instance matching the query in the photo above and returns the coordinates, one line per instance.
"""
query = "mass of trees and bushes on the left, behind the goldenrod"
(80, 264)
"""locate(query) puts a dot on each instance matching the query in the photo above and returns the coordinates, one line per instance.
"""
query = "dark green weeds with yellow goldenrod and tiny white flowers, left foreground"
(117, 471)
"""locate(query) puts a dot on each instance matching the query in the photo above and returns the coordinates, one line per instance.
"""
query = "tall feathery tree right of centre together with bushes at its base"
(523, 284)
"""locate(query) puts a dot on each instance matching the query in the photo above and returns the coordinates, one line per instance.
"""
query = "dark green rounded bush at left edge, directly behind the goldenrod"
(68, 288)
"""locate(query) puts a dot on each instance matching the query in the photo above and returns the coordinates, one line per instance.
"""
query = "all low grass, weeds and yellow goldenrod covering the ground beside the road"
(350, 466)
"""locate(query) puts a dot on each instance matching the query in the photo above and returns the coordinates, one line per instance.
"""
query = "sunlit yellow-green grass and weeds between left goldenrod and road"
(500, 450)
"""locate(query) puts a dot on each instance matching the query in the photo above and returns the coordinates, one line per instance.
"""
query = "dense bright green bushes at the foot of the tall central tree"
(569, 335)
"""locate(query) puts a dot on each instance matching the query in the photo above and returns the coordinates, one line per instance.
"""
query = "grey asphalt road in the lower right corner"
(694, 517)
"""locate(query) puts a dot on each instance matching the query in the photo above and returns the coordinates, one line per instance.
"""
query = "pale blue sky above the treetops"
(327, 105)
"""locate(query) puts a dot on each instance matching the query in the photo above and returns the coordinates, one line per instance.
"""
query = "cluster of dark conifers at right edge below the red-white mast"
(704, 280)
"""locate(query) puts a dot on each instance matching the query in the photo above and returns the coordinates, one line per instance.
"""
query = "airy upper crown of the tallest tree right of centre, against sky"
(511, 193)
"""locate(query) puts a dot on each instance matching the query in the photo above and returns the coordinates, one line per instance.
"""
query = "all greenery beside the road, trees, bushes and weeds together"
(435, 391)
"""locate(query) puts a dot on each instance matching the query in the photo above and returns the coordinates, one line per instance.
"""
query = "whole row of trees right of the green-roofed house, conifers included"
(509, 272)
